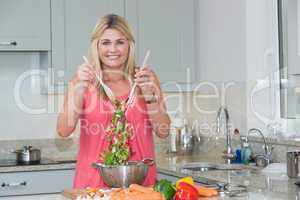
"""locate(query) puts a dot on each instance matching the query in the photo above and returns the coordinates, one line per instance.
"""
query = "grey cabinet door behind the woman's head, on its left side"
(72, 24)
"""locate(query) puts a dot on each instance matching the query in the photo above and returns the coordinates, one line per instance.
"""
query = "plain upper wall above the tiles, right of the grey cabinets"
(222, 36)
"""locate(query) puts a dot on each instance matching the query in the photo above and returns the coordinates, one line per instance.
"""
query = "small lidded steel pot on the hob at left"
(28, 155)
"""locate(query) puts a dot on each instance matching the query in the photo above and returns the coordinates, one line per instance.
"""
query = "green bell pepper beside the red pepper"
(166, 188)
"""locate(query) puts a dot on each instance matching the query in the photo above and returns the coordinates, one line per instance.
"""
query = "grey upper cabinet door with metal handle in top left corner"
(24, 25)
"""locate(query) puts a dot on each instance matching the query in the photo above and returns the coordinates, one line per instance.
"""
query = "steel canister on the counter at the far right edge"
(292, 163)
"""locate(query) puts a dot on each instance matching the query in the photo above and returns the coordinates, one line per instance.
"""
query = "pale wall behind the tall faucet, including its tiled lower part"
(222, 63)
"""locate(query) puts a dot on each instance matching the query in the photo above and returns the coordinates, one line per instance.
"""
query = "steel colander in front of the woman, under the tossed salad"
(124, 175)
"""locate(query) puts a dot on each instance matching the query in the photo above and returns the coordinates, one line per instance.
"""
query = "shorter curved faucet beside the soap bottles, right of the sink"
(266, 158)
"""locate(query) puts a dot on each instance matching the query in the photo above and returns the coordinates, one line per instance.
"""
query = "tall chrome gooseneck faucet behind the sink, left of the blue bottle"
(224, 116)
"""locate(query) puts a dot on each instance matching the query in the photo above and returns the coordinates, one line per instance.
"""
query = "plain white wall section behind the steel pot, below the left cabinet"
(21, 99)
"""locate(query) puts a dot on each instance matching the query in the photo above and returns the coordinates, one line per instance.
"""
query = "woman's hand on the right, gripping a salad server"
(147, 80)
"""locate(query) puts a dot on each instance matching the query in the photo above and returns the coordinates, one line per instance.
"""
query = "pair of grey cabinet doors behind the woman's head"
(169, 36)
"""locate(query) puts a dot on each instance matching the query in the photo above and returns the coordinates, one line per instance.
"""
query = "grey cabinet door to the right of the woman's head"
(167, 28)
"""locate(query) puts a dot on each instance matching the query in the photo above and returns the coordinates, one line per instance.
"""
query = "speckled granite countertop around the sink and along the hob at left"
(259, 185)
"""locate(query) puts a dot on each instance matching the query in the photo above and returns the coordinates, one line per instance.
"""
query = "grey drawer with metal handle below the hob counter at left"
(37, 182)
